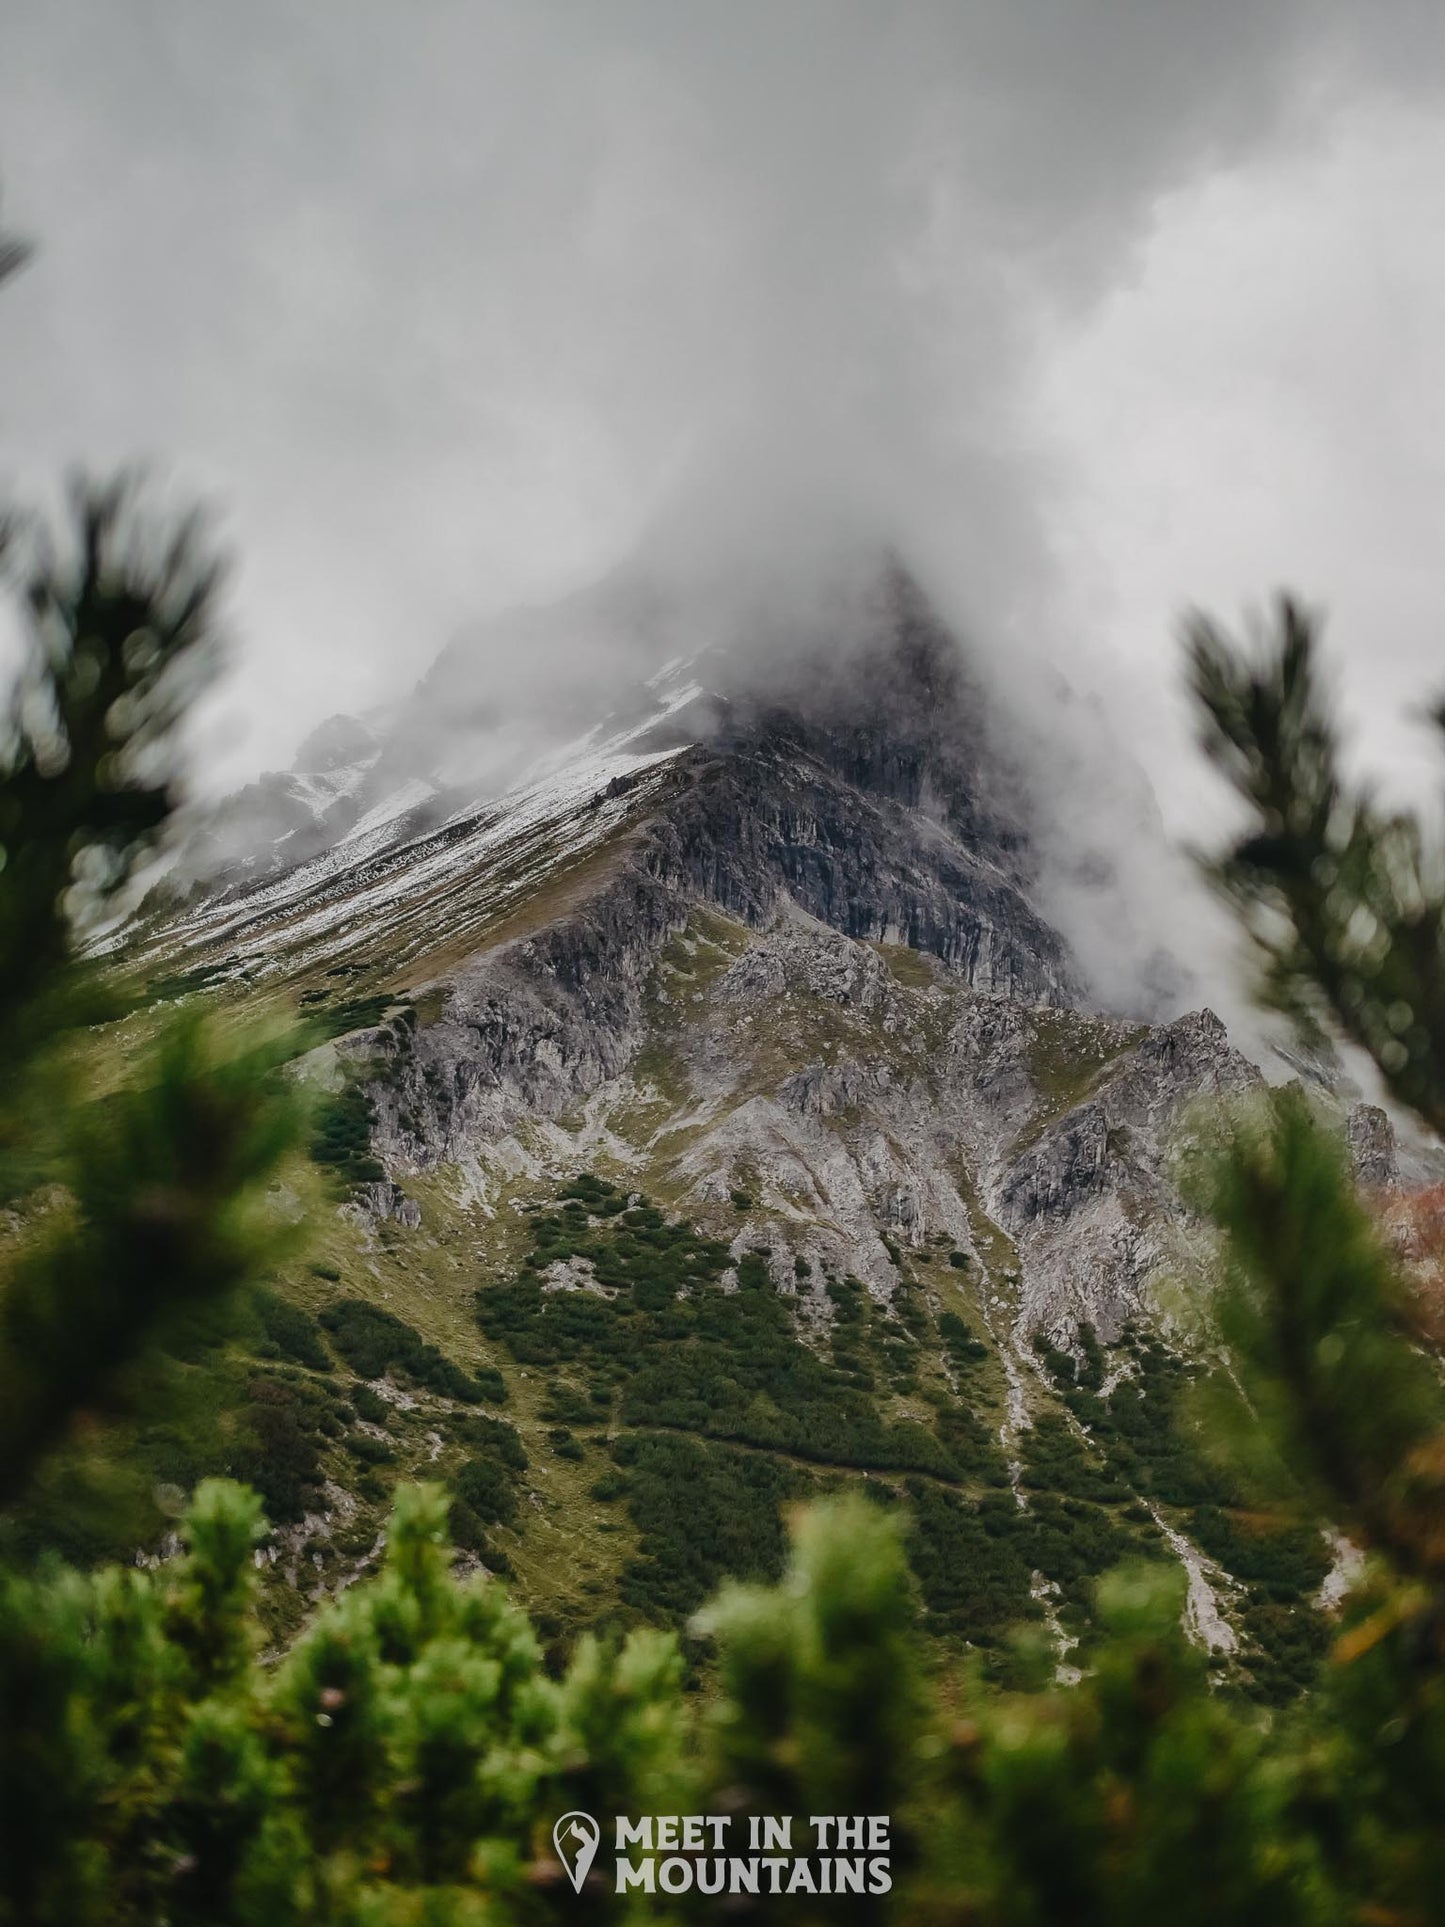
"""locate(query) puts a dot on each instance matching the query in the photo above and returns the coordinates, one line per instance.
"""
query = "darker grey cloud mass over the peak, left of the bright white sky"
(456, 305)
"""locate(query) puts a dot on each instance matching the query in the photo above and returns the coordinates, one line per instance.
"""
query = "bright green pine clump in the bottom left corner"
(409, 1741)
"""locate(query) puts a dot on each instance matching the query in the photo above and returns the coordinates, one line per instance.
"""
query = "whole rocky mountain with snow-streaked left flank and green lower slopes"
(708, 1117)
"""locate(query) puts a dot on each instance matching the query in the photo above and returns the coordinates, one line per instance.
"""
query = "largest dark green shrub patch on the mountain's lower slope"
(700, 1369)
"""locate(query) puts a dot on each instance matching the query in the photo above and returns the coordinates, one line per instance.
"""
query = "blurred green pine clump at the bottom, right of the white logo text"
(1136, 1799)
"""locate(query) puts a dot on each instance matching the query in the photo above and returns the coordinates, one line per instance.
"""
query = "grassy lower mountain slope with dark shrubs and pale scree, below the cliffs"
(766, 1261)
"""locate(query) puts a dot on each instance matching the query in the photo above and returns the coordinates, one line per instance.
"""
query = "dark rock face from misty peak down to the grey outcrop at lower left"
(874, 806)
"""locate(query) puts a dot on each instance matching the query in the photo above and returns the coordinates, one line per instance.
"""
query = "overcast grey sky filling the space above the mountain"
(1101, 307)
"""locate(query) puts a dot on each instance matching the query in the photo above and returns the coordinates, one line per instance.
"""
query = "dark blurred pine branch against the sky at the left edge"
(118, 627)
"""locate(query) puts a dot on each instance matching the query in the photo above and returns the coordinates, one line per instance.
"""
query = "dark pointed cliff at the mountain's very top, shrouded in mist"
(870, 791)
